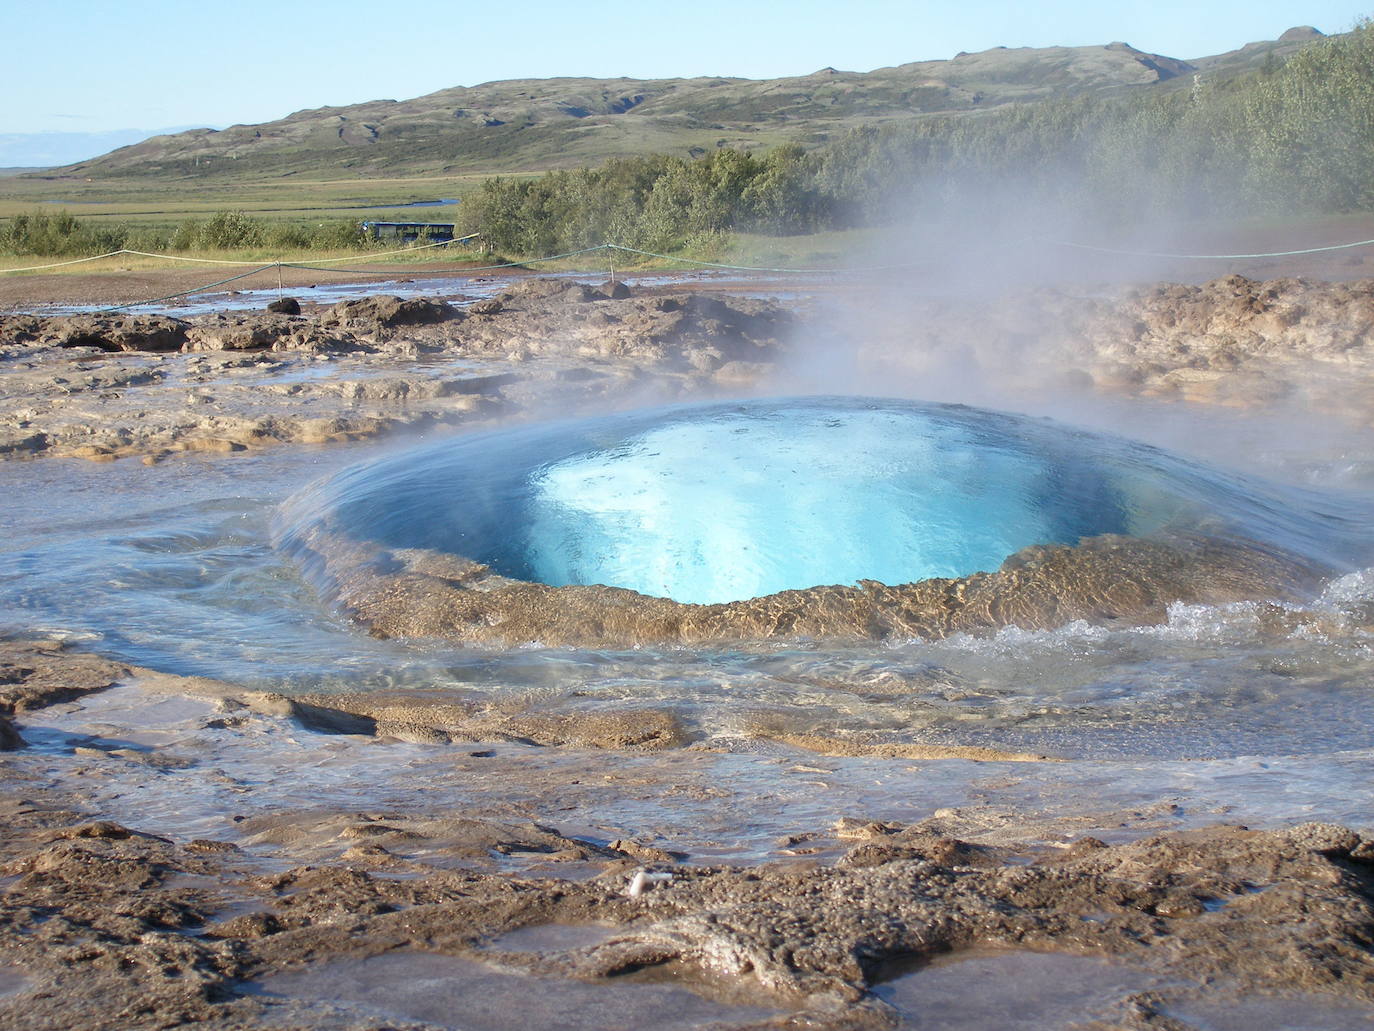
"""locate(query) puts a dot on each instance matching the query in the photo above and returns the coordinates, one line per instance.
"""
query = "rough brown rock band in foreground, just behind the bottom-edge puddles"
(164, 934)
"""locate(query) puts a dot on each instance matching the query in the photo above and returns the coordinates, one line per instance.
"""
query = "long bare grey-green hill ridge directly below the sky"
(530, 126)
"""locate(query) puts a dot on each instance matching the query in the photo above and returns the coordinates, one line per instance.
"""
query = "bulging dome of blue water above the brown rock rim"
(722, 502)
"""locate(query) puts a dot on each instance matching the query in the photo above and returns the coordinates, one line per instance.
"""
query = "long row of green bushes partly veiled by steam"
(1294, 137)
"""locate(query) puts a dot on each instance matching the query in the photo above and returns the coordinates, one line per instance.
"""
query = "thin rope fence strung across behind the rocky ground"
(332, 265)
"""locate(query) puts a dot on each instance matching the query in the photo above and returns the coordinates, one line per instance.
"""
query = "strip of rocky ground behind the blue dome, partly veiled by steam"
(113, 386)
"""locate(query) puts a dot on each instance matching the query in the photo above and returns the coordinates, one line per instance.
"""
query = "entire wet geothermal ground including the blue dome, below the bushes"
(690, 651)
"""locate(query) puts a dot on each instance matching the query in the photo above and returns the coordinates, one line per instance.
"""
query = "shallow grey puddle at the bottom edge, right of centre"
(1012, 992)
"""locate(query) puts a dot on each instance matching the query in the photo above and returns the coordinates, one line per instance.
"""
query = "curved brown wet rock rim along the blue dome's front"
(1107, 579)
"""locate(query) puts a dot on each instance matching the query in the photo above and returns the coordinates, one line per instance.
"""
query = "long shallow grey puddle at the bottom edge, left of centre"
(442, 989)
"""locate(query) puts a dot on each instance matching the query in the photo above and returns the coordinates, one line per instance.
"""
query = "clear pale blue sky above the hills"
(83, 67)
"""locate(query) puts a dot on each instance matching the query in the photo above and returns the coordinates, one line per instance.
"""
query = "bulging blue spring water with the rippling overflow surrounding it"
(233, 570)
